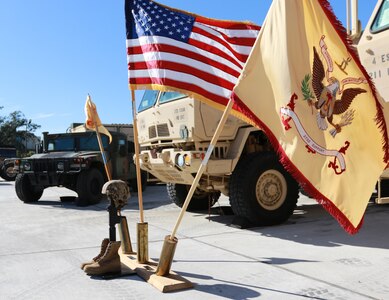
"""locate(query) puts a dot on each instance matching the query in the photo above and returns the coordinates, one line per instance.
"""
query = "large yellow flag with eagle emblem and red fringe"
(306, 88)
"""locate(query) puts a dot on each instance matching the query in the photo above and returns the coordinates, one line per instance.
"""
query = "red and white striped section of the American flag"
(209, 64)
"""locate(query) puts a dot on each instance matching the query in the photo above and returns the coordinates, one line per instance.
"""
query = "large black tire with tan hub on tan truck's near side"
(262, 191)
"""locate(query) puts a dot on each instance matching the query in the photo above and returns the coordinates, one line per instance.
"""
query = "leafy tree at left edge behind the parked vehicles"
(9, 135)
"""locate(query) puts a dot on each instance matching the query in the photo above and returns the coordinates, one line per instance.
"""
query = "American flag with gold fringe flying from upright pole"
(171, 49)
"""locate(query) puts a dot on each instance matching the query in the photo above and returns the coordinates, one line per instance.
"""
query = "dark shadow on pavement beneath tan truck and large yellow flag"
(313, 225)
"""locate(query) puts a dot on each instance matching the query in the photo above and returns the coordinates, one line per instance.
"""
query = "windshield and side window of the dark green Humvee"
(71, 143)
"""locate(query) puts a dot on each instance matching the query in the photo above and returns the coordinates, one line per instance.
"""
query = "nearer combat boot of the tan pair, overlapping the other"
(108, 263)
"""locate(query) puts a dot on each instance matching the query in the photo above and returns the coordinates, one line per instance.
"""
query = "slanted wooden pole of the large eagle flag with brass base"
(170, 242)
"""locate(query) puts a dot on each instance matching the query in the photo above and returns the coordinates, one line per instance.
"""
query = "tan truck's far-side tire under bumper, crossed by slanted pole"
(201, 200)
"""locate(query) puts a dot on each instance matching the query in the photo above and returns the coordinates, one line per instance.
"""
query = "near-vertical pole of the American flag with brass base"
(142, 226)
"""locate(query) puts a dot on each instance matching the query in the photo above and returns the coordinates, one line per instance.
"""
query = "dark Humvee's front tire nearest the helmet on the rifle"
(89, 185)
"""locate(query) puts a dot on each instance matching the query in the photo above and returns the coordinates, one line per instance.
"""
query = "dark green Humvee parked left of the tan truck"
(73, 160)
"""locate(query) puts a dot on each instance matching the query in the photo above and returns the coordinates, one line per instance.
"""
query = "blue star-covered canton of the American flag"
(153, 19)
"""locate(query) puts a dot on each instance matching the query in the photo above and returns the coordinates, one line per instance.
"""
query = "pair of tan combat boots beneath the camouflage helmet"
(106, 262)
